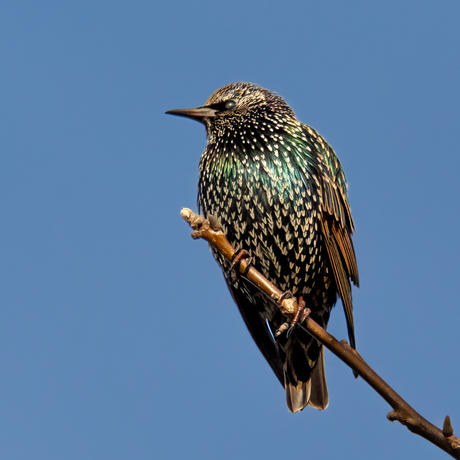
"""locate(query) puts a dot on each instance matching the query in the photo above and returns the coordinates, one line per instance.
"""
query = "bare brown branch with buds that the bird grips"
(402, 412)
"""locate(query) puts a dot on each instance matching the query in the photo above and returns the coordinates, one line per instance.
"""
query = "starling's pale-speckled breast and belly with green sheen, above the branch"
(267, 207)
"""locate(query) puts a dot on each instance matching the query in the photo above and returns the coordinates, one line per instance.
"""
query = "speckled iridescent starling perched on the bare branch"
(280, 193)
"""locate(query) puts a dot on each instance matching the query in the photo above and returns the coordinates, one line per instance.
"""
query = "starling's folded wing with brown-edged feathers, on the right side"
(337, 227)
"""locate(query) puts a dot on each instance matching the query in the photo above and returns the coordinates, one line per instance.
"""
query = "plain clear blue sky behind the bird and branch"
(118, 337)
